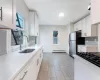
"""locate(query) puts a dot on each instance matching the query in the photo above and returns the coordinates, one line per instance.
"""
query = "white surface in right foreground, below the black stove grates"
(85, 70)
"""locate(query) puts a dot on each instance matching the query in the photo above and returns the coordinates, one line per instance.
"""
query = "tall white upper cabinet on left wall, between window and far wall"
(34, 24)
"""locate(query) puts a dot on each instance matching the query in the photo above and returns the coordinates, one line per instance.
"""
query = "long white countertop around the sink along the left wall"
(11, 64)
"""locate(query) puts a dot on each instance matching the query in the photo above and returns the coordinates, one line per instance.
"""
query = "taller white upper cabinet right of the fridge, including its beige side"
(88, 30)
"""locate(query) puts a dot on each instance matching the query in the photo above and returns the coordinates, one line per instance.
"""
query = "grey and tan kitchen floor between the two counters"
(56, 66)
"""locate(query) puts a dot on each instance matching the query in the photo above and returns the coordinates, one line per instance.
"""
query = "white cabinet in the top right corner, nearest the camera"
(95, 11)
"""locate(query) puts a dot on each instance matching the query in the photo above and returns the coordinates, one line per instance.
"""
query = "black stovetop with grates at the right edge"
(93, 57)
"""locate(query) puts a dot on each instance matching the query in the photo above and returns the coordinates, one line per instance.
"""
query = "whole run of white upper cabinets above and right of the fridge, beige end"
(88, 30)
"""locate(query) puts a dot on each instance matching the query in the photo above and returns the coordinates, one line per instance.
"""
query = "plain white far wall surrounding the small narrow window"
(46, 37)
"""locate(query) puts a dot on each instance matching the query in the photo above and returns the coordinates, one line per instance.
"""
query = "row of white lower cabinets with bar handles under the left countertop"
(31, 70)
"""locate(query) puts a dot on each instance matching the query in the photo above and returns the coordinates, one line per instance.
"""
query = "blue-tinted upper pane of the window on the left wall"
(19, 21)
